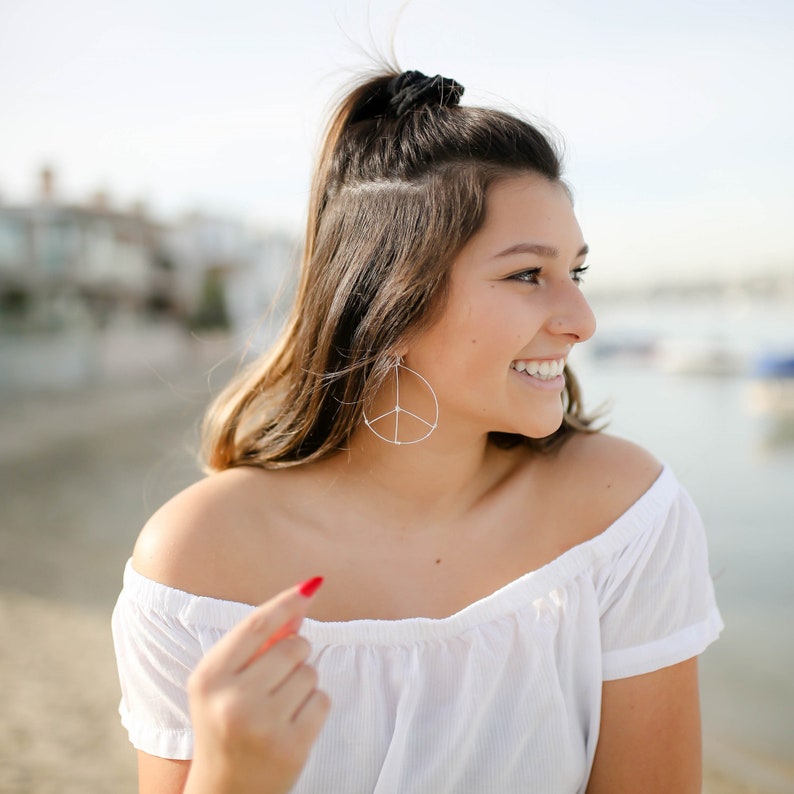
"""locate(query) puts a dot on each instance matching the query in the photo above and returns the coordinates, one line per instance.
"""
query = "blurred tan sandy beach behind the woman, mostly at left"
(79, 473)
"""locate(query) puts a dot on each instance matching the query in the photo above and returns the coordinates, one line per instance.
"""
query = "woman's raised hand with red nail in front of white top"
(254, 702)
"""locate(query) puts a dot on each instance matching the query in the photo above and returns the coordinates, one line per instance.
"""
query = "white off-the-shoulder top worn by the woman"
(502, 696)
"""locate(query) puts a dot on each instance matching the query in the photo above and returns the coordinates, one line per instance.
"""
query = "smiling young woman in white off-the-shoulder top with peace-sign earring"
(512, 601)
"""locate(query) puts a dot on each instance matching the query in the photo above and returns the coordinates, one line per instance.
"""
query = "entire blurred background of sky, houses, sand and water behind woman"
(153, 174)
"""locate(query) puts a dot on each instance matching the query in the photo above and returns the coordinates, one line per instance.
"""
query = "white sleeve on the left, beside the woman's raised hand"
(160, 634)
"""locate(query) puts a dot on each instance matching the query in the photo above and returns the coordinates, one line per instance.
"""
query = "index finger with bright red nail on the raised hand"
(235, 650)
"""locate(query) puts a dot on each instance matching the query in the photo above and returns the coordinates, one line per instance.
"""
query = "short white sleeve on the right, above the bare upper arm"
(656, 596)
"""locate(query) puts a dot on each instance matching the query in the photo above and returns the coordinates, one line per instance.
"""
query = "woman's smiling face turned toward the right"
(514, 312)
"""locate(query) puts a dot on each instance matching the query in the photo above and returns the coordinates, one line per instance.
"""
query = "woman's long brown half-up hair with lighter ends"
(394, 199)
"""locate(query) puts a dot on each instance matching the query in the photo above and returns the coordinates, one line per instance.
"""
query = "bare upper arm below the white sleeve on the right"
(650, 734)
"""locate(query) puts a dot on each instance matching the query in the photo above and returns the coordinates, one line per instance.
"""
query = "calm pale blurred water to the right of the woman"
(738, 465)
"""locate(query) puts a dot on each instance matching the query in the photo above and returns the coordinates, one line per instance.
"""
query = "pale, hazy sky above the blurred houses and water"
(677, 115)
